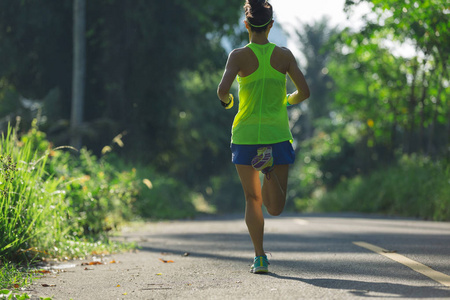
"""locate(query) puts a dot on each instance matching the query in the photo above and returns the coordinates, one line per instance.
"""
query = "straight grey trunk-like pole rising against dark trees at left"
(79, 67)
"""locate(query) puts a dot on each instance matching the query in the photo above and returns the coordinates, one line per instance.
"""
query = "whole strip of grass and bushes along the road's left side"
(58, 203)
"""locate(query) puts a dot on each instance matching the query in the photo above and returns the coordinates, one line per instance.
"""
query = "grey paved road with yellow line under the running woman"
(313, 257)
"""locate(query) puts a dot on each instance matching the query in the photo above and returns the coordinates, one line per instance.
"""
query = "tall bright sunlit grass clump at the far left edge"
(31, 210)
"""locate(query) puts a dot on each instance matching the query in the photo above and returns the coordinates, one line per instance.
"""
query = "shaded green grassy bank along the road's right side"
(415, 187)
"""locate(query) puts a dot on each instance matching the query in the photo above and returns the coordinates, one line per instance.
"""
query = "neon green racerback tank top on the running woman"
(262, 116)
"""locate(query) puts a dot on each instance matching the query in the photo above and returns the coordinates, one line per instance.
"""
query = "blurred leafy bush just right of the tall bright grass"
(100, 198)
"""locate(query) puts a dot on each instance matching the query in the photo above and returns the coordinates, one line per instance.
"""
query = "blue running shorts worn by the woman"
(283, 153)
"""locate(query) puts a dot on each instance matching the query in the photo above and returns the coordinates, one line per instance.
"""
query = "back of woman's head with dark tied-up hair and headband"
(258, 13)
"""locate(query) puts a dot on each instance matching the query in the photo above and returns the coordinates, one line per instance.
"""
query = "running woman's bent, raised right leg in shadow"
(274, 189)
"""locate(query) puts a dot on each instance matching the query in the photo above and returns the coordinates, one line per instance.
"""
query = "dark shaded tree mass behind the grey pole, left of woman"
(133, 67)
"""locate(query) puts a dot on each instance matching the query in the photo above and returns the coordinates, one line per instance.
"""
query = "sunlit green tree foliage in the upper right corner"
(403, 100)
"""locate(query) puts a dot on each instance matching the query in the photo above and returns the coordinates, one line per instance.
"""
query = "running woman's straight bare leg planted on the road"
(253, 205)
